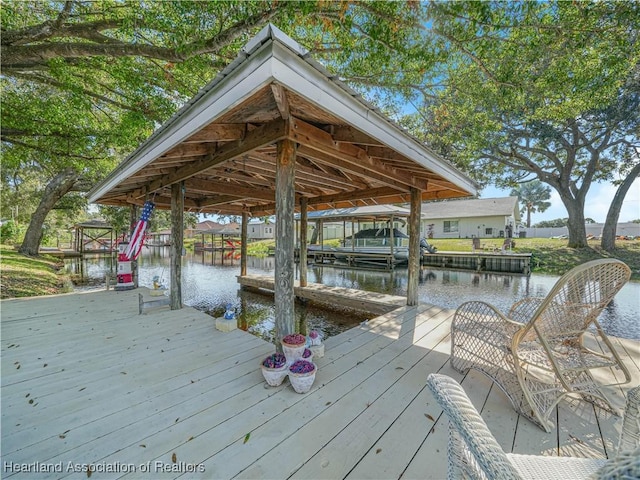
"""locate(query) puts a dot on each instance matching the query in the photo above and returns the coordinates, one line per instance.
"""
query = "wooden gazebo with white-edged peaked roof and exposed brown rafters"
(273, 133)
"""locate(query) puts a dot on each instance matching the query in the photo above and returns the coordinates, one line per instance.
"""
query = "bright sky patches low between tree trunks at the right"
(596, 206)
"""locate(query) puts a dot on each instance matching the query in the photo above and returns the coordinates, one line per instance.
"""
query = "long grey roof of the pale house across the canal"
(479, 207)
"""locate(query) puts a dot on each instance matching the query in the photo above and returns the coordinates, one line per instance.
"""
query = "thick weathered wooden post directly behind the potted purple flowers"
(284, 261)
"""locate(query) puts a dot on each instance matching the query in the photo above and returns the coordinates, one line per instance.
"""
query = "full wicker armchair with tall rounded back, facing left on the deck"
(535, 353)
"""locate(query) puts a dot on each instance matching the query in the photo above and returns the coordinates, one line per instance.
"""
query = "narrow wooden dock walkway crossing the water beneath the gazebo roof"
(370, 302)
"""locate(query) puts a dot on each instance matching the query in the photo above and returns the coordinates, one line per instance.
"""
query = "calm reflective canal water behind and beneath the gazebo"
(209, 284)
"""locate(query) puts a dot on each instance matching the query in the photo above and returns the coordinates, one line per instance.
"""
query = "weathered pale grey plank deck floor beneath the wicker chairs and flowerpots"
(87, 380)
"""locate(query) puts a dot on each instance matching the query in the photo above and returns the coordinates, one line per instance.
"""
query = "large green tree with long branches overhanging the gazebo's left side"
(85, 82)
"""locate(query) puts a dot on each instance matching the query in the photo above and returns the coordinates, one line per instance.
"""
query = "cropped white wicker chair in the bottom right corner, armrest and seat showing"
(473, 452)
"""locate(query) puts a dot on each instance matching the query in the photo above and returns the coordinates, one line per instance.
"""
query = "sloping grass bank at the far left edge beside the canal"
(22, 276)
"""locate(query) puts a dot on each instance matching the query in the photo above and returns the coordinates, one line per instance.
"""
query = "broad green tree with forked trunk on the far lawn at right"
(542, 89)
